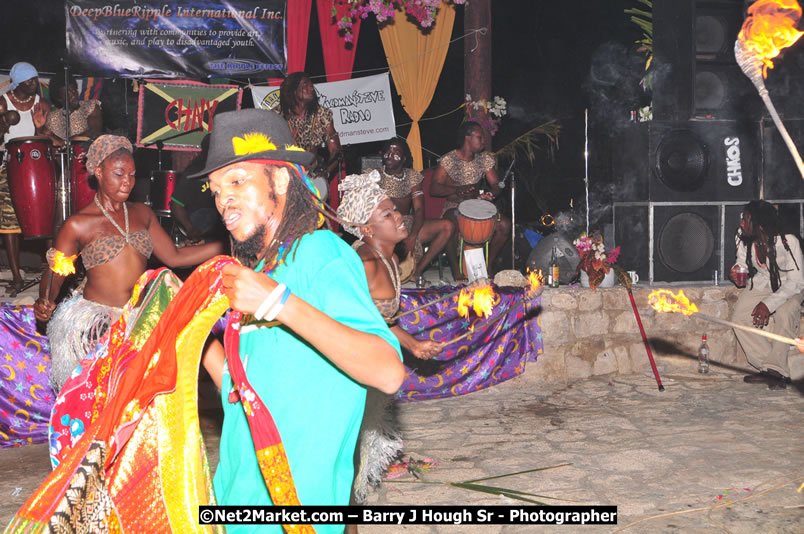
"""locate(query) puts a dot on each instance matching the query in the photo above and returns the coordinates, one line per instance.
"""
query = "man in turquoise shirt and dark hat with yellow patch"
(311, 337)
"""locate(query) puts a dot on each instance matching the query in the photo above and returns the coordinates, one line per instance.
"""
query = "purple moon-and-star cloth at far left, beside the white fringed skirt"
(25, 395)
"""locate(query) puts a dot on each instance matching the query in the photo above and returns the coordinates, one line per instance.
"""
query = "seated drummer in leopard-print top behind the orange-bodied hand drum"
(457, 178)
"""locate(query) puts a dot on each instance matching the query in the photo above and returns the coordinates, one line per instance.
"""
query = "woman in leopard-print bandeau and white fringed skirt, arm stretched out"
(114, 238)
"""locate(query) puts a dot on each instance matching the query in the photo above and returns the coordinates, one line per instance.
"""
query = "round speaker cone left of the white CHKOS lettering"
(681, 161)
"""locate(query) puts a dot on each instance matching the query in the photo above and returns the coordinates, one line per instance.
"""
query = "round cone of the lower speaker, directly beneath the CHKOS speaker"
(685, 243)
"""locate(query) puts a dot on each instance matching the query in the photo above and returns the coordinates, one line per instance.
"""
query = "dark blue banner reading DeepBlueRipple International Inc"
(176, 39)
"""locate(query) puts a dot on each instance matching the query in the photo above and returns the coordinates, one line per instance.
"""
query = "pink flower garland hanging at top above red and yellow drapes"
(422, 11)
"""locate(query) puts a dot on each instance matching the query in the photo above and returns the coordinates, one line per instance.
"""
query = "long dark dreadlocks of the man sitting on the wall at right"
(764, 218)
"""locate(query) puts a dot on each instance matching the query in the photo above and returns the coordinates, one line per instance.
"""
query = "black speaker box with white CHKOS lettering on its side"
(686, 161)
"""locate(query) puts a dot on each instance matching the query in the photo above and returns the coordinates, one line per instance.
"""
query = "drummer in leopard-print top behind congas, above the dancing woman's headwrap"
(86, 119)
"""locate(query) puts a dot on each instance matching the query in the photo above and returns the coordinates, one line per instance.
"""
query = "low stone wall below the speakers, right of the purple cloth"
(590, 332)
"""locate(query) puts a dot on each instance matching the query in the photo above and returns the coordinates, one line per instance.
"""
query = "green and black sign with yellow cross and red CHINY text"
(180, 113)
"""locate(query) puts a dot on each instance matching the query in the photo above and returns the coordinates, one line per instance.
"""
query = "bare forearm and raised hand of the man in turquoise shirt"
(366, 357)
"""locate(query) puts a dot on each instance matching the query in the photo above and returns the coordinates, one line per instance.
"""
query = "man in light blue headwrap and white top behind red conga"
(24, 99)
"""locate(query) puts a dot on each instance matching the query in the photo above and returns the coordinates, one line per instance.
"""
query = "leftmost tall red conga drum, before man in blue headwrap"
(32, 183)
